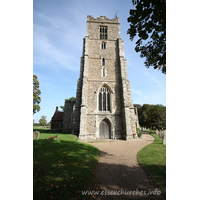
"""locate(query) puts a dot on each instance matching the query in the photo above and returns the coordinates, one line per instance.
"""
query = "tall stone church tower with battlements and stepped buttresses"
(103, 107)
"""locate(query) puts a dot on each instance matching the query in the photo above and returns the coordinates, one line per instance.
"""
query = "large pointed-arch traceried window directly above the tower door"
(104, 99)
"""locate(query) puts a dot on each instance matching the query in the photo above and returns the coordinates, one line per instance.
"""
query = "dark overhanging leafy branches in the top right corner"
(148, 21)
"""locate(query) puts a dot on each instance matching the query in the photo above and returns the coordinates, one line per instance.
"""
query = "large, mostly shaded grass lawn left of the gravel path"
(63, 167)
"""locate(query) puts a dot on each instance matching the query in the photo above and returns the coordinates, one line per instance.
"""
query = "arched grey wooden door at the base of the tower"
(104, 130)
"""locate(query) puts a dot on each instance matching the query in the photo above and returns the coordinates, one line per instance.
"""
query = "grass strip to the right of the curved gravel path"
(153, 160)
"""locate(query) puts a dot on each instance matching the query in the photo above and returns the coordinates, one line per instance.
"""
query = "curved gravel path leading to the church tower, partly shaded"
(119, 171)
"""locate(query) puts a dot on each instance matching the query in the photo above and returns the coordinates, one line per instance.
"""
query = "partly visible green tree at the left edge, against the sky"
(36, 93)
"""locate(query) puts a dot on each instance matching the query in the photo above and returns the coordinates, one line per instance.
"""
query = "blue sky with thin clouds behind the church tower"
(58, 31)
